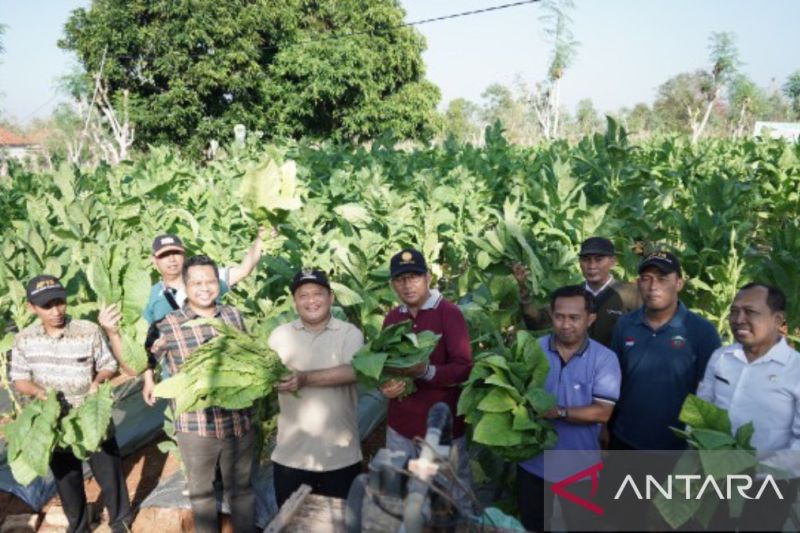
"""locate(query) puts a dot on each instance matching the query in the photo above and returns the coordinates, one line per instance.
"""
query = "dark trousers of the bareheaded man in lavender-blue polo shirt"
(535, 500)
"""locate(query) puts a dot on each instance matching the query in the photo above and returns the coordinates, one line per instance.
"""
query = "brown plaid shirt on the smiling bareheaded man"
(182, 340)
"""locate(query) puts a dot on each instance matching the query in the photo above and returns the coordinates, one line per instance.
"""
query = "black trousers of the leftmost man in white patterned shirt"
(106, 465)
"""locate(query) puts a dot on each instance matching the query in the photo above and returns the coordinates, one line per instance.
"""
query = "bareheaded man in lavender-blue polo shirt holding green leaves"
(584, 377)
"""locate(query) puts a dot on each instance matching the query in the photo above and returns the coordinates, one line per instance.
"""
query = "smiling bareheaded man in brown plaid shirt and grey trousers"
(212, 435)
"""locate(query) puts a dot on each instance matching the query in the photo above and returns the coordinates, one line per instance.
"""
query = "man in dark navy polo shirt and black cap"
(663, 350)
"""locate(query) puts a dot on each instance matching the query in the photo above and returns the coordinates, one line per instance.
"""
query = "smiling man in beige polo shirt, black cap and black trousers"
(318, 442)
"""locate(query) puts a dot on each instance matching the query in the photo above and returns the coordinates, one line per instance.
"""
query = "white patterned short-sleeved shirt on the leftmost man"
(67, 362)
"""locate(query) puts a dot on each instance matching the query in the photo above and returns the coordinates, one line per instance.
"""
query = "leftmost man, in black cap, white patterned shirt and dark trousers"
(71, 358)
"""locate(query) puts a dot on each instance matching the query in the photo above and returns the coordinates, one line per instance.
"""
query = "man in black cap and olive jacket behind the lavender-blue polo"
(612, 298)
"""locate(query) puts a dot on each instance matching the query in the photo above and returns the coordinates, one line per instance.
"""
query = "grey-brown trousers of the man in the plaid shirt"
(235, 458)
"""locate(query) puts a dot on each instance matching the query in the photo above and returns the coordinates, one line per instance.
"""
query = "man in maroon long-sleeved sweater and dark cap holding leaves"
(437, 381)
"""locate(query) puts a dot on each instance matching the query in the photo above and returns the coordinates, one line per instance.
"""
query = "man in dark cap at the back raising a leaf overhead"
(169, 294)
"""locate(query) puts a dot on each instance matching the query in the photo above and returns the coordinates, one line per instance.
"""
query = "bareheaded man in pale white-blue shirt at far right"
(757, 379)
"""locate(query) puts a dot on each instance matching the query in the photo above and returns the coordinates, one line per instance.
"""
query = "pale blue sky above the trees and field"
(627, 47)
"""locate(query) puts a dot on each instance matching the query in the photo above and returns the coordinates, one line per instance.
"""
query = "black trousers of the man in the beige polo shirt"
(335, 483)
